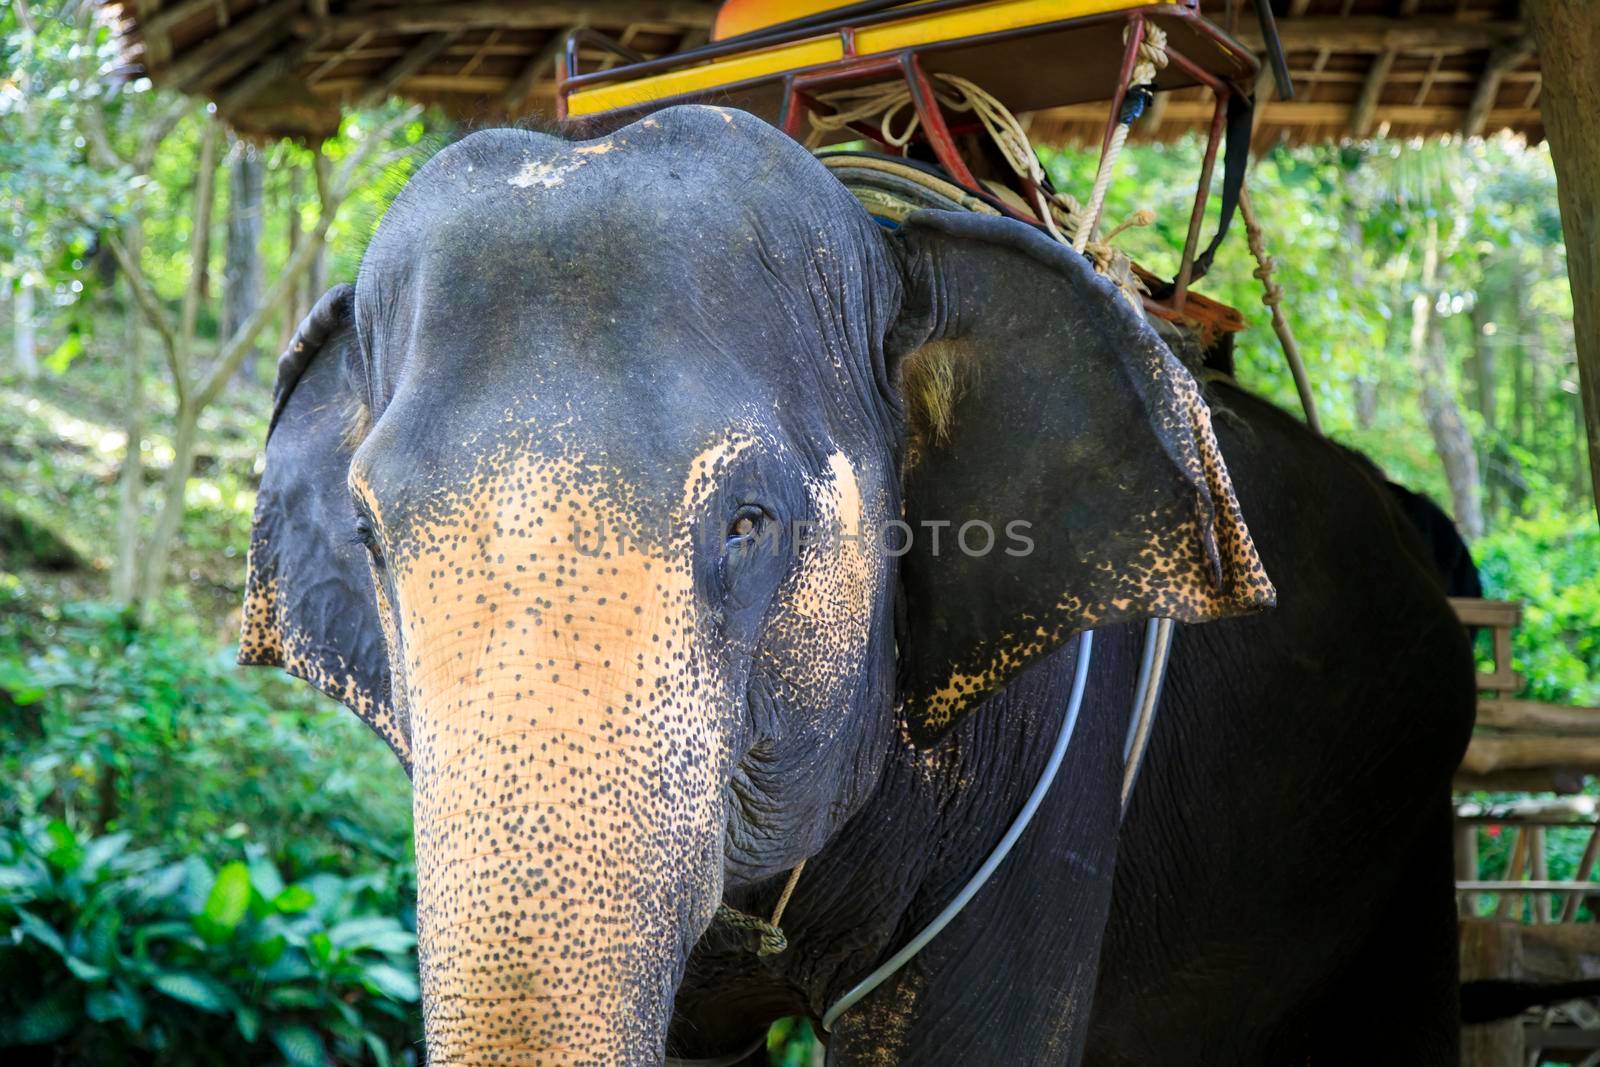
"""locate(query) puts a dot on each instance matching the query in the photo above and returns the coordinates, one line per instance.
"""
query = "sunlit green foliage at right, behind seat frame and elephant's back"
(1343, 225)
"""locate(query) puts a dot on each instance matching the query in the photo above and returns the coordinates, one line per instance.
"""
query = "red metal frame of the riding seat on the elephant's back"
(801, 94)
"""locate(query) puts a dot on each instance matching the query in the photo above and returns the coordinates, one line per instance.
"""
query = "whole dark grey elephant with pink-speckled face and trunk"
(679, 526)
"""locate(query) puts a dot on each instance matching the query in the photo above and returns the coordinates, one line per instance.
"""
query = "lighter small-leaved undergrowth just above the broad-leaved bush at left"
(156, 732)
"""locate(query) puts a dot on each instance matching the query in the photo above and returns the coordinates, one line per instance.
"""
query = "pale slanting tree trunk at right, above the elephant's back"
(1441, 409)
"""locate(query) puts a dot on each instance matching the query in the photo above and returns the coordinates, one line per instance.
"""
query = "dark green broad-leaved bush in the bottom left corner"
(110, 949)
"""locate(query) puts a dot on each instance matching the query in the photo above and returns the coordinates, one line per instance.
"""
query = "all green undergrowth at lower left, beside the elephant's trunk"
(202, 865)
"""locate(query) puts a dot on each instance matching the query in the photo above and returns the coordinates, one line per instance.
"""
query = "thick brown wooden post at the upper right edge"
(1569, 39)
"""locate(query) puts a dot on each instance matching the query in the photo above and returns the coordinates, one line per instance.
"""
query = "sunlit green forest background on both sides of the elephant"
(204, 865)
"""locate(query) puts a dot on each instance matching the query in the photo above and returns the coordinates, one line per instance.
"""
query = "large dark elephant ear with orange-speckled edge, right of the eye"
(1046, 412)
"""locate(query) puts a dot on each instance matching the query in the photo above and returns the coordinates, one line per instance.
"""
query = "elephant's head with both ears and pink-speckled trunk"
(593, 498)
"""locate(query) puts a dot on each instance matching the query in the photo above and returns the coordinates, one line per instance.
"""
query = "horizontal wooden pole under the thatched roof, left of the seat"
(426, 18)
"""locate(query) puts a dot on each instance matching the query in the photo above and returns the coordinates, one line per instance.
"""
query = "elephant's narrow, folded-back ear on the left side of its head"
(310, 597)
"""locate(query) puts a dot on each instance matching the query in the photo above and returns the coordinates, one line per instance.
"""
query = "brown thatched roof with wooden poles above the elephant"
(289, 66)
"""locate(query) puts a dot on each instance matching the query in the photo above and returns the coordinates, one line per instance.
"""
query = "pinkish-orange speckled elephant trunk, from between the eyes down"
(569, 751)
